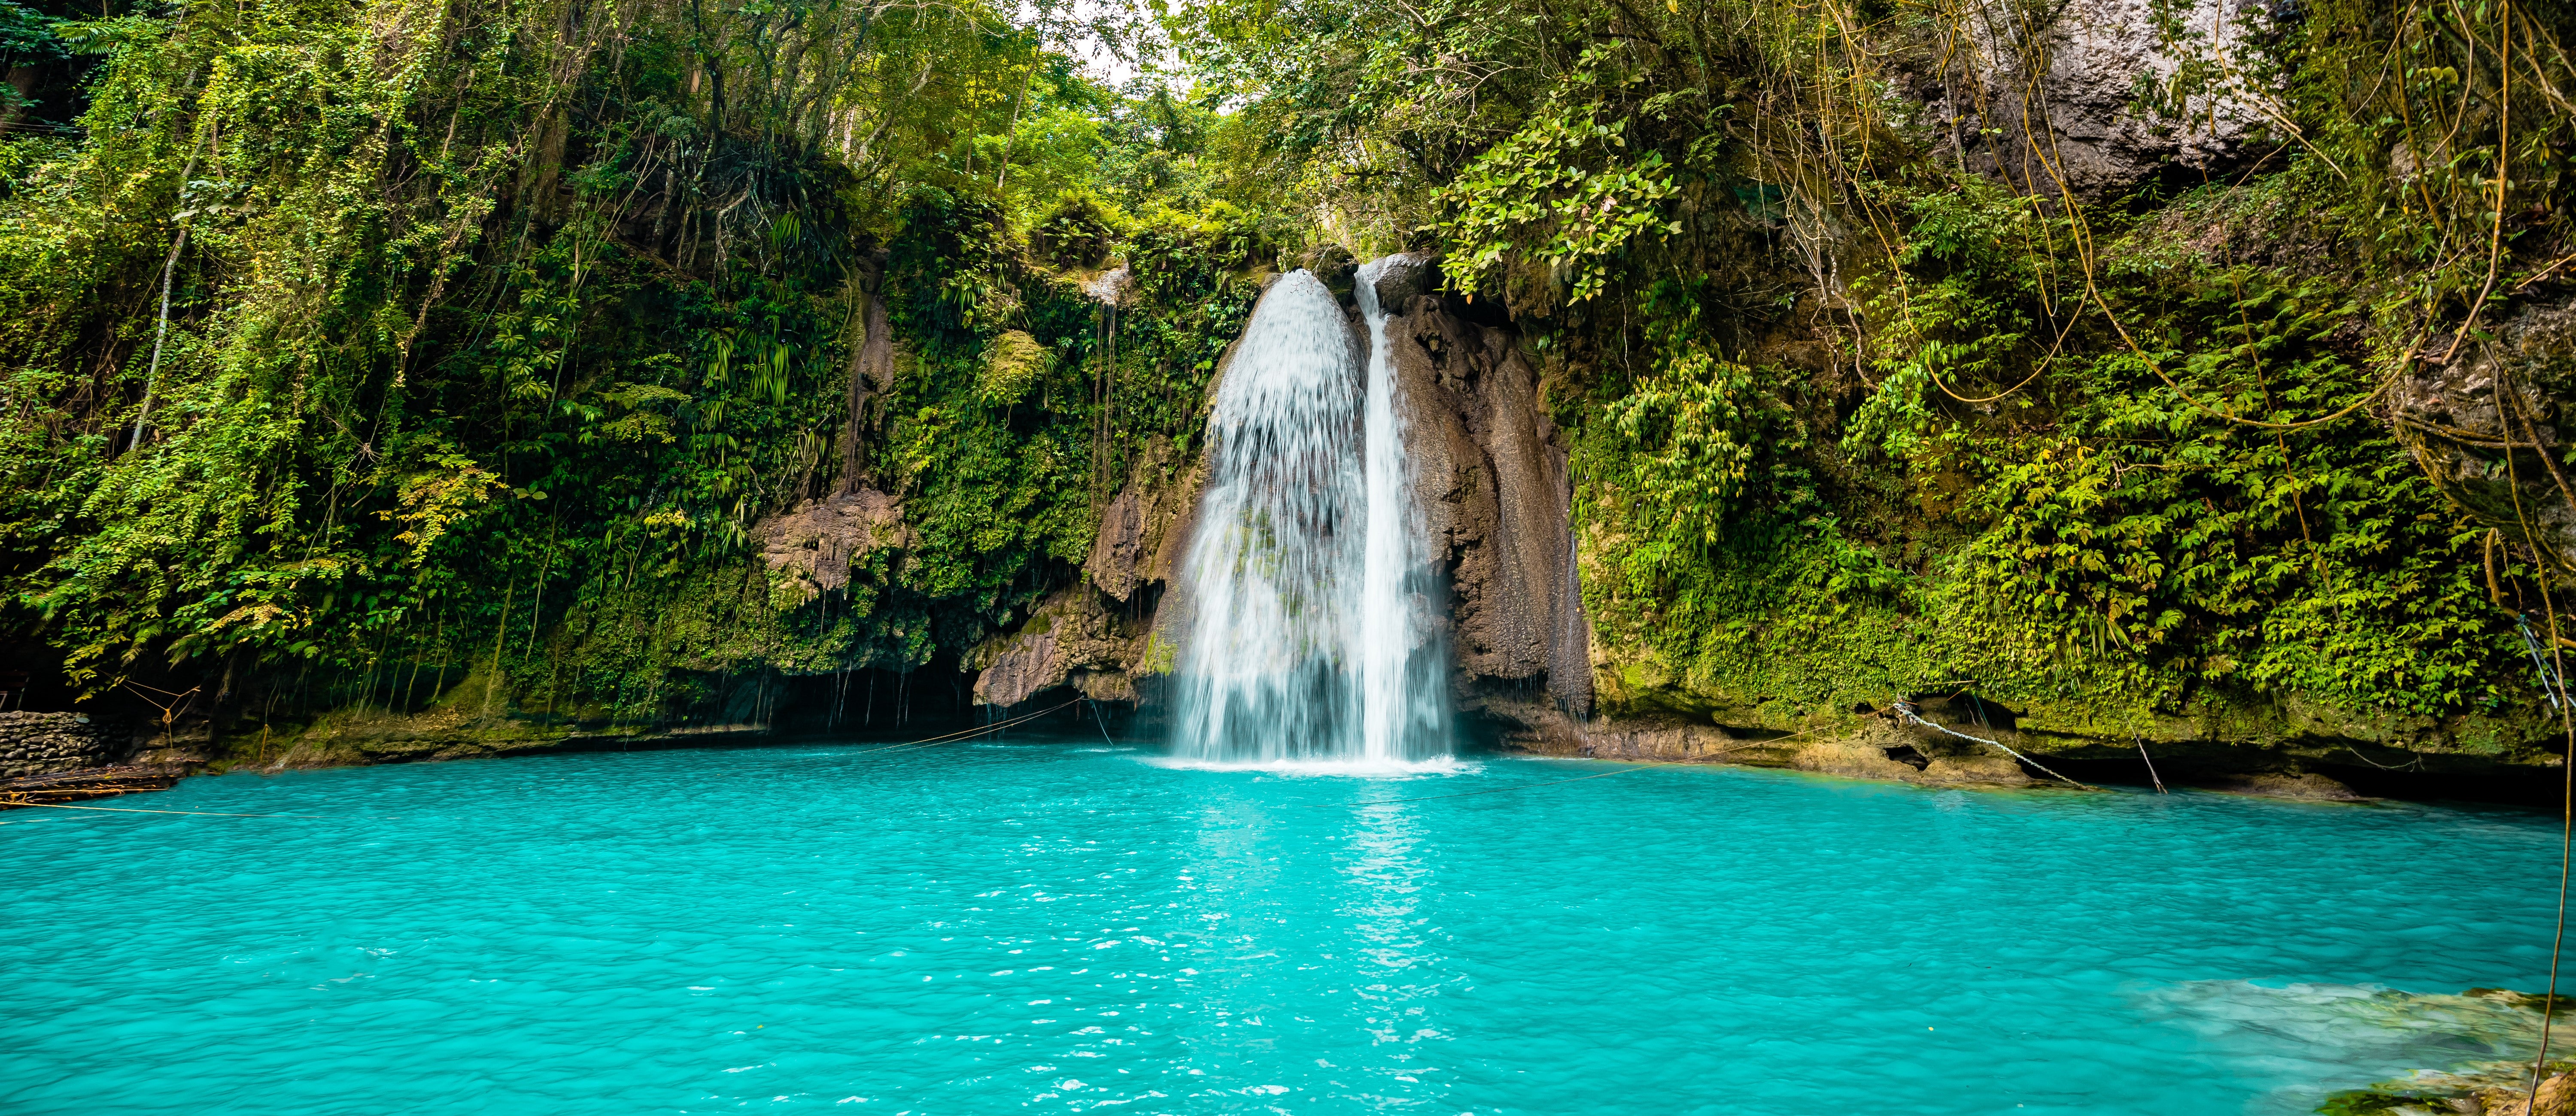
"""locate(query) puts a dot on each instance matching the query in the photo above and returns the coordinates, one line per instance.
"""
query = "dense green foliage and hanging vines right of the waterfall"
(1871, 401)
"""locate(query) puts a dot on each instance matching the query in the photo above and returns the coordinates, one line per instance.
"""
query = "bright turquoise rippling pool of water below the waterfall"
(1060, 927)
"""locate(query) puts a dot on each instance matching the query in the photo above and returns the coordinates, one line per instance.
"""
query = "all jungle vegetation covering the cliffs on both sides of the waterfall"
(354, 347)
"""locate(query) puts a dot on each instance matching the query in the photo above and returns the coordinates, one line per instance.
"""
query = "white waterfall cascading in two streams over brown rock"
(1310, 628)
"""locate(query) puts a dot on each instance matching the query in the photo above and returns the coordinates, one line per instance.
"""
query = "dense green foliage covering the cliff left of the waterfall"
(354, 347)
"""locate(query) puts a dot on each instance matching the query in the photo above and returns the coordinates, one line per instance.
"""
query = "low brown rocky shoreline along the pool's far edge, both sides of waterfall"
(1848, 746)
